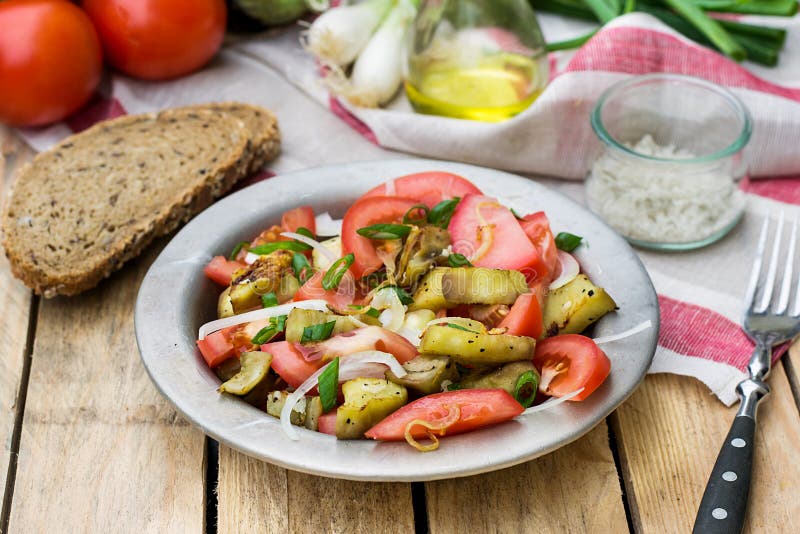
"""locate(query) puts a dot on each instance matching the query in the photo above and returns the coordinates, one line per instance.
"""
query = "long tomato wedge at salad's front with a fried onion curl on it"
(476, 408)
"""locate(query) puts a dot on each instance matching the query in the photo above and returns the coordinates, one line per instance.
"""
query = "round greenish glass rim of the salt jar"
(732, 100)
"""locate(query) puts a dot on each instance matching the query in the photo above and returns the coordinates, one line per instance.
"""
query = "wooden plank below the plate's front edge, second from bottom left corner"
(255, 496)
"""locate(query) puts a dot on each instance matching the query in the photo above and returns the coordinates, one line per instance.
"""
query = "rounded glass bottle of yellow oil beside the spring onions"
(476, 59)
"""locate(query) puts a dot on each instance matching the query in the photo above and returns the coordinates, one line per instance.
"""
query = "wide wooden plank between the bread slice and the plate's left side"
(101, 450)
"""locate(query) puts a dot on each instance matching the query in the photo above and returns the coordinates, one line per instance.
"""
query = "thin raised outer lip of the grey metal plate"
(331, 470)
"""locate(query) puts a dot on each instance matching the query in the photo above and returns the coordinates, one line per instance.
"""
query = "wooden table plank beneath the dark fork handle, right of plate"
(670, 432)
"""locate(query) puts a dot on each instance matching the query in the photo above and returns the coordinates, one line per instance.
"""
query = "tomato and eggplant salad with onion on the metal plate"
(430, 309)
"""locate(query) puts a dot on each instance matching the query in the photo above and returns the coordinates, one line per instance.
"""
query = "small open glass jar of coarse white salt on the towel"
(668, 174)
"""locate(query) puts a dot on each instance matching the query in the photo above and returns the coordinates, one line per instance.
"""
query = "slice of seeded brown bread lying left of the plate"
(78, 211)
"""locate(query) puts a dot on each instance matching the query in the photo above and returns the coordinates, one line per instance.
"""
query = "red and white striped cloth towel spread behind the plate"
(700, 292)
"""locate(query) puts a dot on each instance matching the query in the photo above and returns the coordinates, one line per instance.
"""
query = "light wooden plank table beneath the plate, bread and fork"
(92, 447)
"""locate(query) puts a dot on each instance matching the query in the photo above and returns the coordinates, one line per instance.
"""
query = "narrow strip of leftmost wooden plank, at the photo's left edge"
(15, 302)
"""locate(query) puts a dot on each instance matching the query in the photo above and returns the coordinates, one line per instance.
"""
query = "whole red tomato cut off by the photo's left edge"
(50, 61)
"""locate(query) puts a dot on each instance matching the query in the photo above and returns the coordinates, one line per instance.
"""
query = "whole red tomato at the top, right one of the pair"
(158, 39)
